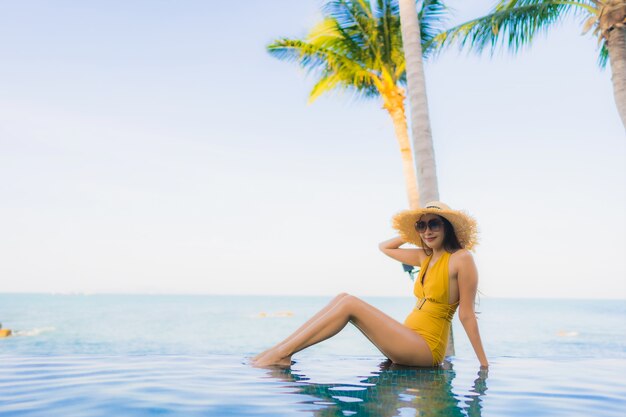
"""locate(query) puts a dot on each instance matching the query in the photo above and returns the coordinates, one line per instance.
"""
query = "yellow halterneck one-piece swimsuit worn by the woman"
(432, 314)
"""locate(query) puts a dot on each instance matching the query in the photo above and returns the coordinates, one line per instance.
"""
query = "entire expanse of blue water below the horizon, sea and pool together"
(143, 355)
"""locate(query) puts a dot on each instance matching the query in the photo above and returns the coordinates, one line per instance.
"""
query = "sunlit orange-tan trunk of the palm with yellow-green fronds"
(393, 102)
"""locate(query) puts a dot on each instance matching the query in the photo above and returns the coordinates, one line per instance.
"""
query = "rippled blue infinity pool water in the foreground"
(210, 385)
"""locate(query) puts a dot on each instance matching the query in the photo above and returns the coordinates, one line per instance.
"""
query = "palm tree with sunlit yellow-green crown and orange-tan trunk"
(357, 47)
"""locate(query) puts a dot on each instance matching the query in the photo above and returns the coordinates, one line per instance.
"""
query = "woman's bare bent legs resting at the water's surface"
(394, 340)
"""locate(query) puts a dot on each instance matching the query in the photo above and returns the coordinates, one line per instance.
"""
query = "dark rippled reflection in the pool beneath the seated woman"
(392, 391)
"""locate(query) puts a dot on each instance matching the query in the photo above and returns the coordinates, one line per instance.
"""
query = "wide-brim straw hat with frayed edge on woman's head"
(464, 225)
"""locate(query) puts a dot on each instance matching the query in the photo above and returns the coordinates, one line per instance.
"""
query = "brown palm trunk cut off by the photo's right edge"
(616, 43)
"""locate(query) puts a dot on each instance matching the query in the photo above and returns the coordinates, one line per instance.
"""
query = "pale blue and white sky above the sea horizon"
(155, 147)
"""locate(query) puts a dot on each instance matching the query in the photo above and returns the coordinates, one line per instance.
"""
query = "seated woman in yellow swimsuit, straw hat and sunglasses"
(448, 279)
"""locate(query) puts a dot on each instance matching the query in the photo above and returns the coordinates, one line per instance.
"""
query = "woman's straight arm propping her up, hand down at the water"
(468, 283)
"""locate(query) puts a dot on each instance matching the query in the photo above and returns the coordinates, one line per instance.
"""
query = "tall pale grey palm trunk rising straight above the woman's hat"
(420, 122)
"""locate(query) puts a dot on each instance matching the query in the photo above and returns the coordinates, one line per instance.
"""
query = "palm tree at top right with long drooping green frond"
(516, 22)
